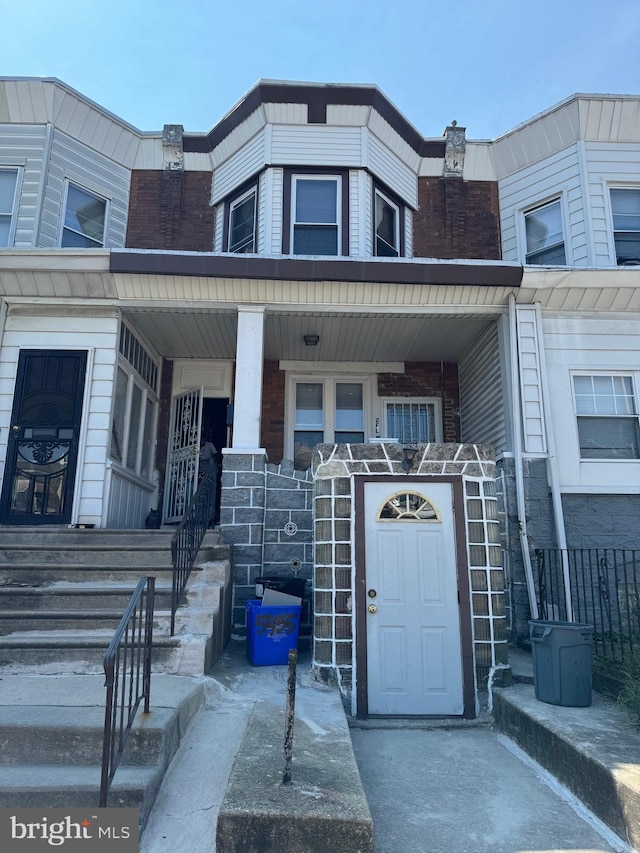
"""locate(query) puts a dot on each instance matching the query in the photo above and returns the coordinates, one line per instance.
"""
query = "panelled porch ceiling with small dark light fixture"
(344, 337)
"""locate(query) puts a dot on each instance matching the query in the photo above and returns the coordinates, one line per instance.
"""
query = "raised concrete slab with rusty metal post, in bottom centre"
(323, 809)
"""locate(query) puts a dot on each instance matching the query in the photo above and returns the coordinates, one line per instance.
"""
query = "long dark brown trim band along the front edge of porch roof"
(210, 265)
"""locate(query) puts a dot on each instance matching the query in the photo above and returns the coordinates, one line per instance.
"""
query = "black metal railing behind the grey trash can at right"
(605, 593)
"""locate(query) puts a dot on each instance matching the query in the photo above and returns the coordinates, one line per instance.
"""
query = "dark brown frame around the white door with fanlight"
(464, 595)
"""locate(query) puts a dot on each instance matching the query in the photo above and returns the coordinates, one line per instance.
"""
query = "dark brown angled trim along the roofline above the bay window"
(317, 99)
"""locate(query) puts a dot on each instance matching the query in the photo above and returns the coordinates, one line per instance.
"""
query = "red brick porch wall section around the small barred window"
(428, 379)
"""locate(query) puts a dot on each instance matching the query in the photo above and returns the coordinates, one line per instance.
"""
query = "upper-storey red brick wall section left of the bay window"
(170, 210)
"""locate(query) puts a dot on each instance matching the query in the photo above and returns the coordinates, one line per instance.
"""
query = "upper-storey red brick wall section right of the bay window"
(457, 219)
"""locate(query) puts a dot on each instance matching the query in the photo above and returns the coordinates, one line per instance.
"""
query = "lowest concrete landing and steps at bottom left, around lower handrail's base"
(51, 734)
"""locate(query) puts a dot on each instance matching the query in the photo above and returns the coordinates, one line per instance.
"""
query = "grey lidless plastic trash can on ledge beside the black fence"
(562, 662)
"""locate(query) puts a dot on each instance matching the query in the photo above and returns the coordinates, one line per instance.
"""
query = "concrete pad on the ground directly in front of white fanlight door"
(463, 790)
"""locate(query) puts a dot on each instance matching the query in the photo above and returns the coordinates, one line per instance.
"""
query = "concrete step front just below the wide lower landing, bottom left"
(35, 735)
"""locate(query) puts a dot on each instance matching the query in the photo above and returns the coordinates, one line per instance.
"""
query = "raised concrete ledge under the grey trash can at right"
(593, 751)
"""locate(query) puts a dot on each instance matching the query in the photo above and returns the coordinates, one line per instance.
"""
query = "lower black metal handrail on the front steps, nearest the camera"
(127, 669)
